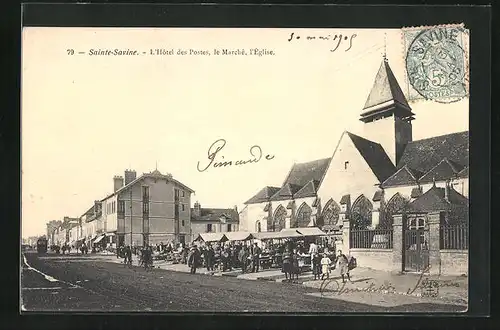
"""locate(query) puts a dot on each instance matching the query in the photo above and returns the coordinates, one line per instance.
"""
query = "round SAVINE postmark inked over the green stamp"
(435, 64)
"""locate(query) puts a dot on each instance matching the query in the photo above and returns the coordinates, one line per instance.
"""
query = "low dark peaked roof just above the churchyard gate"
(434, 200)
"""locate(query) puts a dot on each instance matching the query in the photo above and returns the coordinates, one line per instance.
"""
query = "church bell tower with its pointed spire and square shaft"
(387, 115)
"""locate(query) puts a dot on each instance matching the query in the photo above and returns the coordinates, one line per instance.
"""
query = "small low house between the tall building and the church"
(213, 220)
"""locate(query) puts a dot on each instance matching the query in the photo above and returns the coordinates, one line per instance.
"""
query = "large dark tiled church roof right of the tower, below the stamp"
(423, 155)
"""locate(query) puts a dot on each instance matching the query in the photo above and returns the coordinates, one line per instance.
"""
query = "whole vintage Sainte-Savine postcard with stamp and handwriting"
(245, 170)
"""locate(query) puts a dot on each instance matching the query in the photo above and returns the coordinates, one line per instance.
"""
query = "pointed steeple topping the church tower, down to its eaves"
(386, 97)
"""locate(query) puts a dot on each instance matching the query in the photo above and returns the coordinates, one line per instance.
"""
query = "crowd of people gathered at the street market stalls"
(291, 256)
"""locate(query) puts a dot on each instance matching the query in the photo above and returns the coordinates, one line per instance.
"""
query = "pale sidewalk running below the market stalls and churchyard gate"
(367, 285)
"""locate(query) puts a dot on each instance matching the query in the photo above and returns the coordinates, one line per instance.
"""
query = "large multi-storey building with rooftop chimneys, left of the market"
(149, 209)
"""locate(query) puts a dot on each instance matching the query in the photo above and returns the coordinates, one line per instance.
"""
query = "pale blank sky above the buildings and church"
(87, 118)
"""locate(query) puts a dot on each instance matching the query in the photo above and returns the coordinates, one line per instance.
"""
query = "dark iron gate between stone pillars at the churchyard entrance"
(416, 250)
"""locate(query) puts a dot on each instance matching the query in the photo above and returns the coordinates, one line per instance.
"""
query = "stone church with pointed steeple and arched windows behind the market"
(370, 178)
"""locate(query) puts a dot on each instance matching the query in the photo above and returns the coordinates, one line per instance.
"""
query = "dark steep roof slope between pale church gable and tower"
(375, 157)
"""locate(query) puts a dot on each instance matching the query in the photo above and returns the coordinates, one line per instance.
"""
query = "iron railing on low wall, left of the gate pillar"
(371, 238)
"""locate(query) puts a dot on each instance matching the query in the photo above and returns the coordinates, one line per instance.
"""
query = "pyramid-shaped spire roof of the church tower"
(385, 92)
